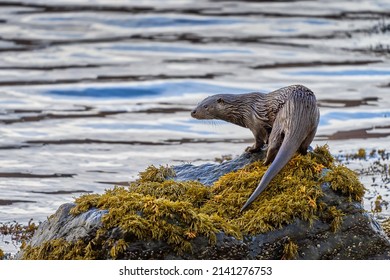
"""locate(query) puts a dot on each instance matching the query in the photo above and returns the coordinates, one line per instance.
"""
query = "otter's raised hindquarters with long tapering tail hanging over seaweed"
(293, 130)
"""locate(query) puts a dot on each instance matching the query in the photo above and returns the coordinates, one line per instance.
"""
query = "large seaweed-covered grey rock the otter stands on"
(333, 226)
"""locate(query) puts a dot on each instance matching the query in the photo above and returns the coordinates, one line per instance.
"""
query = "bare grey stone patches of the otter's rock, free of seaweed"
(360, 236)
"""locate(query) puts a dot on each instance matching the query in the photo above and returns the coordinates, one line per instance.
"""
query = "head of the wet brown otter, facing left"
(211, 107)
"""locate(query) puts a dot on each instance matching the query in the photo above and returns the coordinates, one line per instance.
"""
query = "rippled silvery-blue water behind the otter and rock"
(92, 92)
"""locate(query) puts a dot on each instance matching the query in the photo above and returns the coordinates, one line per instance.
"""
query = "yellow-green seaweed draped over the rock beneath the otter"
(155, 208)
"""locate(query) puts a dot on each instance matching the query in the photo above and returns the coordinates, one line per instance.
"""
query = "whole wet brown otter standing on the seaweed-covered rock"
(285, 120)
